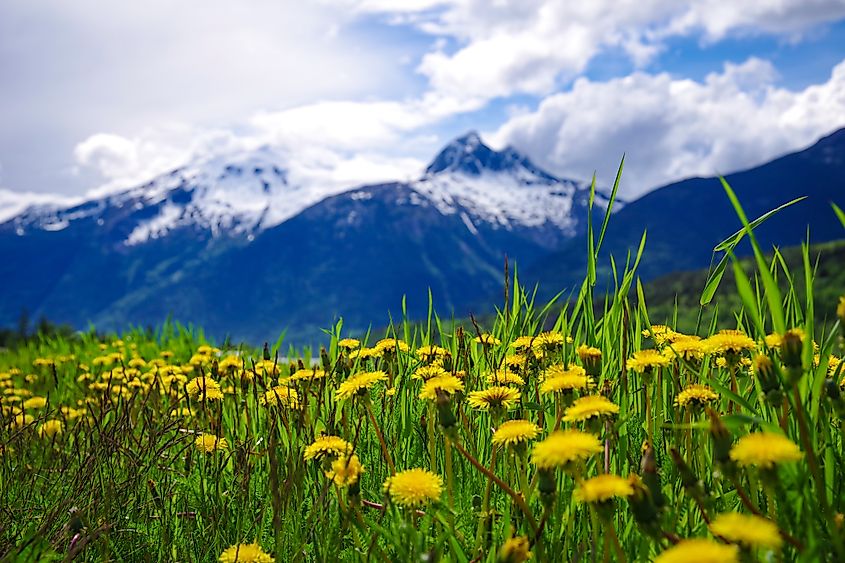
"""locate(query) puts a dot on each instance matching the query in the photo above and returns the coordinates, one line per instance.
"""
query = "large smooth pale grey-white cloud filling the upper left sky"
(72, 70)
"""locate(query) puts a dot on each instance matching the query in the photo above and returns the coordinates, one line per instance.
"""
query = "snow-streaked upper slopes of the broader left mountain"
(232, 195)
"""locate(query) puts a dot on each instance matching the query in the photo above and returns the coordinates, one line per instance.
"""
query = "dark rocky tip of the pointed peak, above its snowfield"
(469, 155)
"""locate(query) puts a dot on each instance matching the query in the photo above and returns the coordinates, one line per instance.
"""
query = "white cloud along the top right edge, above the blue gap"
(532, 46)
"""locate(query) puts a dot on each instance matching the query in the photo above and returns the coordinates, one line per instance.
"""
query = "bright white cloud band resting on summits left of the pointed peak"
(337, 144)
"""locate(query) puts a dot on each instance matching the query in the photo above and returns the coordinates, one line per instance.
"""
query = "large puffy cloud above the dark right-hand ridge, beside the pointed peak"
(671, 128)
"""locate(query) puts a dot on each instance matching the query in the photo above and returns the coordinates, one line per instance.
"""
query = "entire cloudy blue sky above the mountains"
(99, 96)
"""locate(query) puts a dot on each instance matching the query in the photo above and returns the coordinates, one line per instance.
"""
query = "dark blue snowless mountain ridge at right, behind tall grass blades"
(695, 214)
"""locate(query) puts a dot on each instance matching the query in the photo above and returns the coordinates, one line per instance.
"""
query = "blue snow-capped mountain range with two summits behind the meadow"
(238, 246)
